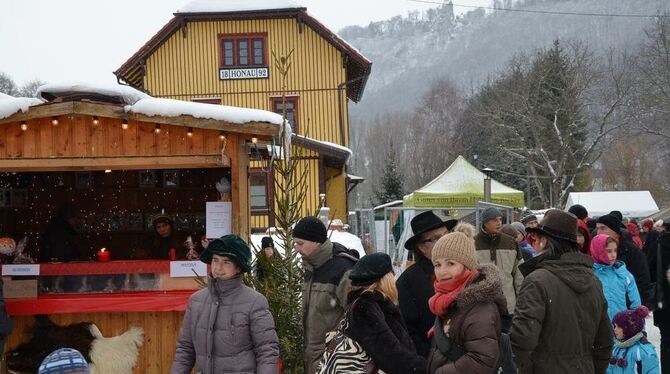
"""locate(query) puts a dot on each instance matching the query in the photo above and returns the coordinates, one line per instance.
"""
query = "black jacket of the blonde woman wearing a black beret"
(375, 323)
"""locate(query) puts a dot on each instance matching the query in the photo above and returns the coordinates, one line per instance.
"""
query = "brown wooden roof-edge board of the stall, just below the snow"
(117, 111)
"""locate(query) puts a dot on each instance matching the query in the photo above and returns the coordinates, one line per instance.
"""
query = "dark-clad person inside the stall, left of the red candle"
(58, 242)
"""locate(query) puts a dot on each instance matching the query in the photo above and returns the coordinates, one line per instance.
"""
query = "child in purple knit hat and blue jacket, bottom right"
(632, 353)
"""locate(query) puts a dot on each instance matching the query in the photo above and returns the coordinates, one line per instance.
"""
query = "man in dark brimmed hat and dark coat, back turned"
(560, 321)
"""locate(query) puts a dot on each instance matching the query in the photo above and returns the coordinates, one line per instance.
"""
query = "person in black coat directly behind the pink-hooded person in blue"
(629, 253)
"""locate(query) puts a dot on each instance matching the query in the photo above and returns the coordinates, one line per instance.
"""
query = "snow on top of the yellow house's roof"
(224, 6)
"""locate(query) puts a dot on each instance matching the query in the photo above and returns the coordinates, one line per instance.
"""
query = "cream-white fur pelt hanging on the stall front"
(117, 354)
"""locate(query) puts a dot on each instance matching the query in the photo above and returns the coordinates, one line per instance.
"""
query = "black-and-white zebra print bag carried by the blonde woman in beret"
(345, 355)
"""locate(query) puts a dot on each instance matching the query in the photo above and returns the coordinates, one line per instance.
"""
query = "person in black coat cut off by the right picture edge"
(659, 267)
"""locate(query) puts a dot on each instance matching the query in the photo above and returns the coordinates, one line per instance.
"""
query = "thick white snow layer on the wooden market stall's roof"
(141, 103)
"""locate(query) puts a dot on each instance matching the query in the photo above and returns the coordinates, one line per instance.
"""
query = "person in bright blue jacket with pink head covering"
(618, 283)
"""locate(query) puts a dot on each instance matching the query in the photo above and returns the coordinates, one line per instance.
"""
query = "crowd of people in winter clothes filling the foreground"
(567, 294)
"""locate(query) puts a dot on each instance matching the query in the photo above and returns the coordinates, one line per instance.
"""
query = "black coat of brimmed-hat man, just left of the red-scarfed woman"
(415, 287)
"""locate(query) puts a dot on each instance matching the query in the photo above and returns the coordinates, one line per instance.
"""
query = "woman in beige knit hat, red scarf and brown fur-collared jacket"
(468, 304)
